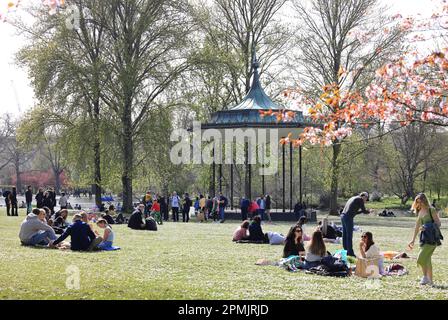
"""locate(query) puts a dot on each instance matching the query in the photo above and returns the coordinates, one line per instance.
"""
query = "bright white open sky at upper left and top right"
(16, 93)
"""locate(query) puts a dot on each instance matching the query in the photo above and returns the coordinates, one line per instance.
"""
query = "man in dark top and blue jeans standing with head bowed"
(354, 206)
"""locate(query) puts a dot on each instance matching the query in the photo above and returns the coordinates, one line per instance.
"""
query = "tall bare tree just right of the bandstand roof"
(342, 43)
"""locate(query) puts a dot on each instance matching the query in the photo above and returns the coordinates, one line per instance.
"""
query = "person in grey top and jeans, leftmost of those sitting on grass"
(34, 230)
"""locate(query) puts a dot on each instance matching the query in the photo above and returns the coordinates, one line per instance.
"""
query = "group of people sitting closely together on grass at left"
(38, 229)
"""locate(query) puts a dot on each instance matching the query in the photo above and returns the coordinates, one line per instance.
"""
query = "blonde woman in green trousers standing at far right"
(427, 217)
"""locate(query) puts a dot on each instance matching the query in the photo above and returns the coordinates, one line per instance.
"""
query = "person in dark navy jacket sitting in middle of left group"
(82, 236)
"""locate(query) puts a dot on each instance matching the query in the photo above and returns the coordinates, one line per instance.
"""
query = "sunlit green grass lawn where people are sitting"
(199, 261)
